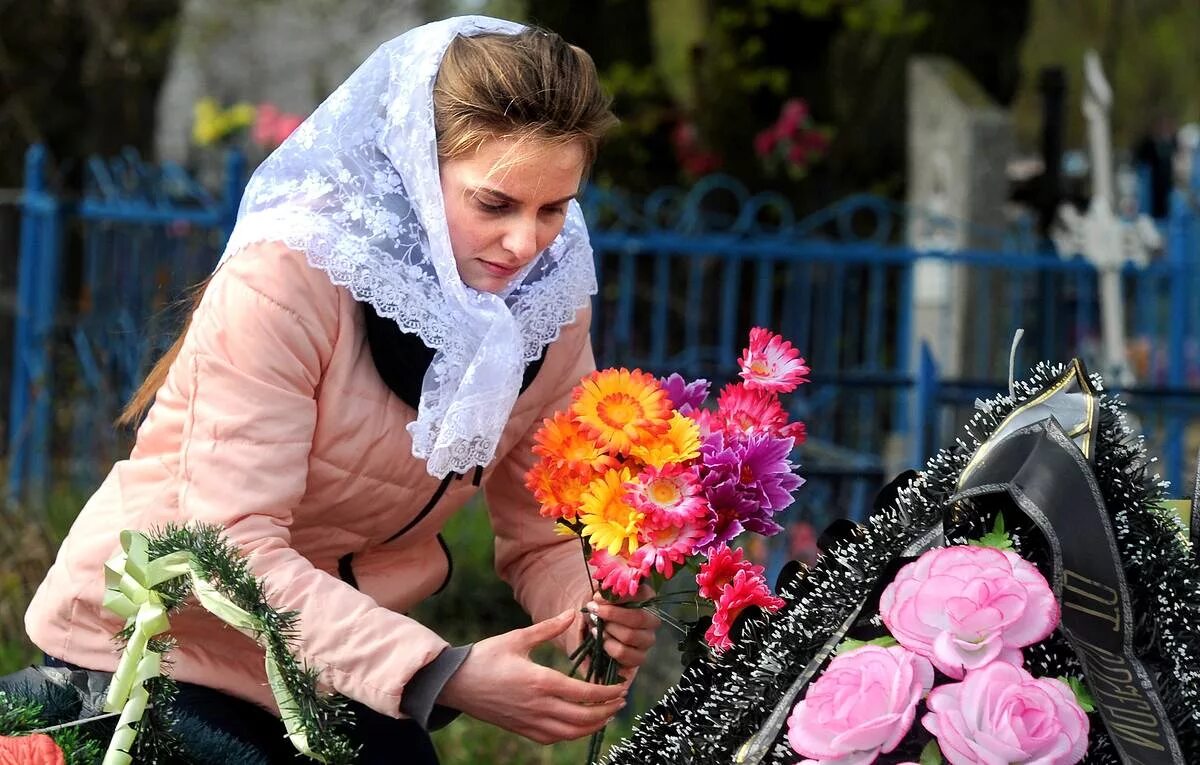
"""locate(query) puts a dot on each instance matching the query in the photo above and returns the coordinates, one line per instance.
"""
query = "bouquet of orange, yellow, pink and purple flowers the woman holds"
(653, 483)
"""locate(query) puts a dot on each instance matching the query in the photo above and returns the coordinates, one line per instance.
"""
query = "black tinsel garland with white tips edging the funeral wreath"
(723, 701)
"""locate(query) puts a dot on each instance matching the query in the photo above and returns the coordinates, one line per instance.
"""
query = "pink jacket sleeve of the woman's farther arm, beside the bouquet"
(545, 569)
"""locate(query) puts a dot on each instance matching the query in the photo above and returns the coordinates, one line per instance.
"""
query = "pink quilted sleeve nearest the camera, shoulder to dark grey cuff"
(250, 369)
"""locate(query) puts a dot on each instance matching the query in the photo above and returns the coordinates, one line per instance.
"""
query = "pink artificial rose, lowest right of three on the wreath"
(1001, 714)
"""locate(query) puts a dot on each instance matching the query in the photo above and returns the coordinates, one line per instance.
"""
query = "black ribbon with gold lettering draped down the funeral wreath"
(1048, 479)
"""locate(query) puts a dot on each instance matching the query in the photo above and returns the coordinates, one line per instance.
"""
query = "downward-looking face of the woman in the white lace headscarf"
(505, 206)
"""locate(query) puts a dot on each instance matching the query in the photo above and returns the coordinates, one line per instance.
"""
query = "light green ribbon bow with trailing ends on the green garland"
(130, 582)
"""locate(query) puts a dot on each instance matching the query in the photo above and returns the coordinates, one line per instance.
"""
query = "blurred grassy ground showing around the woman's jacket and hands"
(475, 605)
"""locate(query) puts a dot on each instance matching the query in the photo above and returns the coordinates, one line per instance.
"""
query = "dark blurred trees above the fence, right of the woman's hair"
(724, 68)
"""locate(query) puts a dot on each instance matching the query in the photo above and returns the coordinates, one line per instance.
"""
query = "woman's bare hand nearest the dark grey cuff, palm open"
(500, 684)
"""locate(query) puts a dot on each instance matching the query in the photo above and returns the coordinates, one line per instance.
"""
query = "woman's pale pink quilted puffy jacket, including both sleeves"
(275, 425)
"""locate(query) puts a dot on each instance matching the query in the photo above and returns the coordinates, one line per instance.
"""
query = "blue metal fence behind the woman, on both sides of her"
(685, 275)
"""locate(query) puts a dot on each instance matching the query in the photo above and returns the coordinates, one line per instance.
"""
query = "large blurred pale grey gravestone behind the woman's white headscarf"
(290, 53)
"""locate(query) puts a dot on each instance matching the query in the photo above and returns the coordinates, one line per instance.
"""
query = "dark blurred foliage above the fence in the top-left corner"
(80, 76)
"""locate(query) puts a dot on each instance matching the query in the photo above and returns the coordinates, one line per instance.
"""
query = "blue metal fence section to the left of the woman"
(133, 243)
